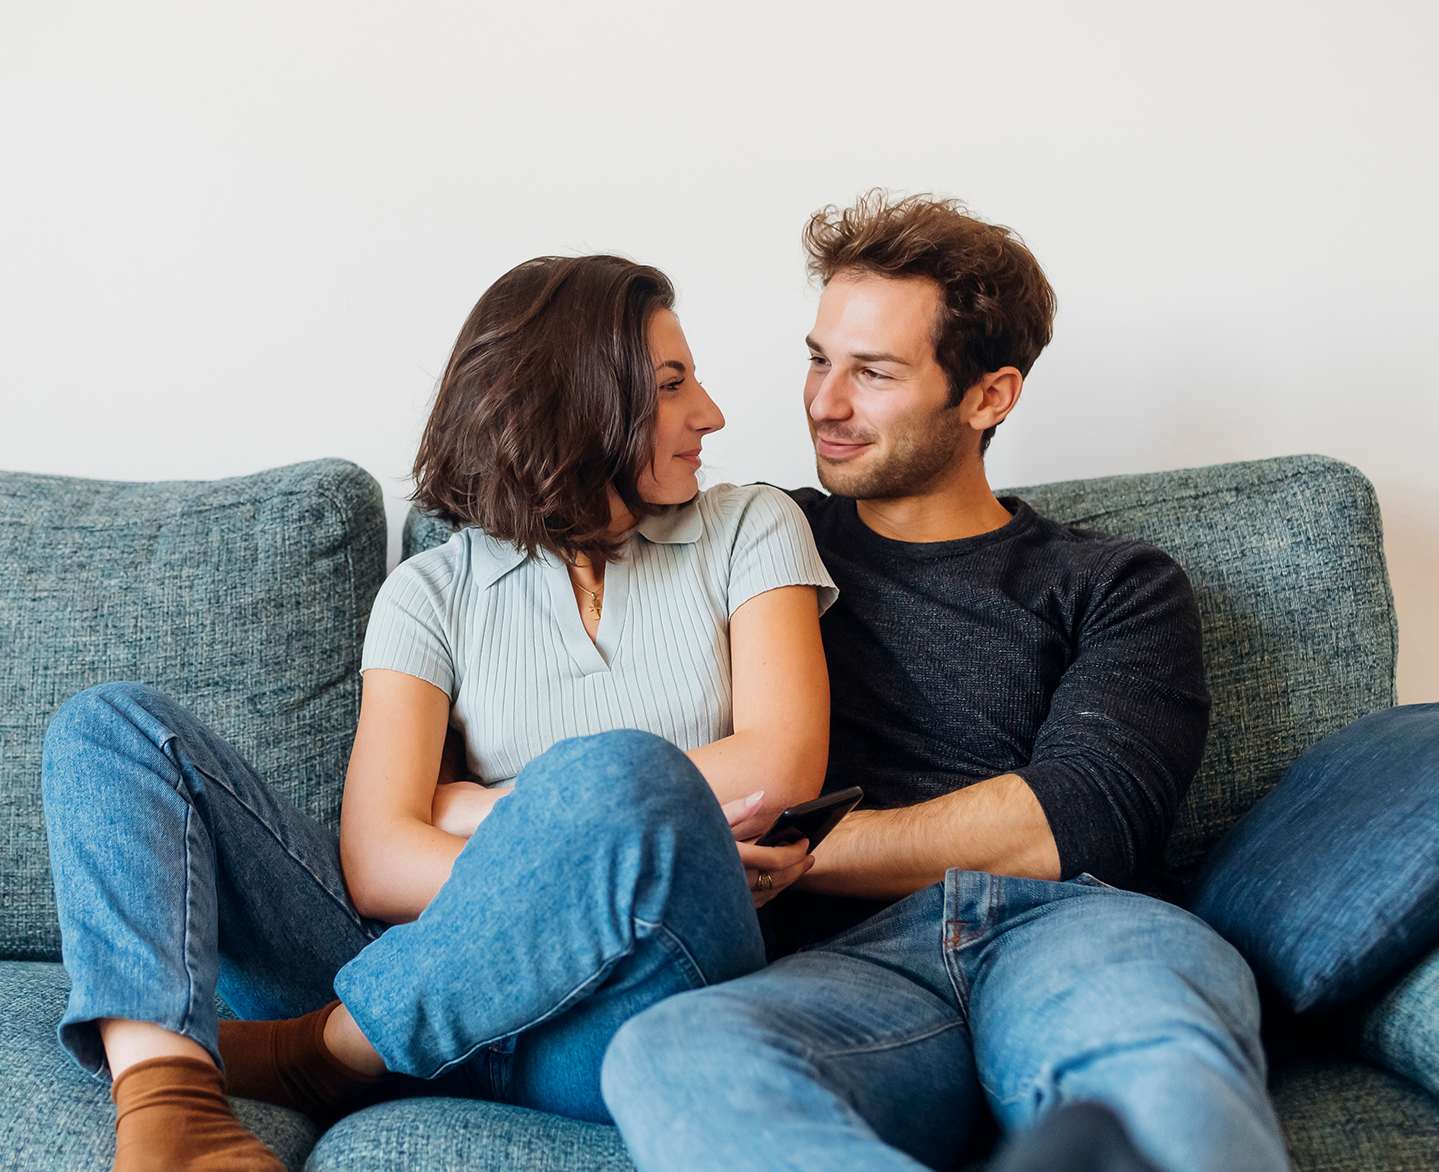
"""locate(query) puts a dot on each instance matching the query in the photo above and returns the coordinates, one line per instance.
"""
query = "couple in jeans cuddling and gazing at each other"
(581, 934)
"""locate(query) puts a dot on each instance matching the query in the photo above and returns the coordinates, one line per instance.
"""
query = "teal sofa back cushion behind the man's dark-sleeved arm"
(1289, 567)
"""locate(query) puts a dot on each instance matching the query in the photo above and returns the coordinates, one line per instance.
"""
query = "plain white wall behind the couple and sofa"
(242, 235)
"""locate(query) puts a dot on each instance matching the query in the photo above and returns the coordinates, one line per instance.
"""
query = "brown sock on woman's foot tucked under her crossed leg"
(289, 1063)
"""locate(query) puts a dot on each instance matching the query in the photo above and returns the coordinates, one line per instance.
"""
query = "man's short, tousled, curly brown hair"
(999, 307)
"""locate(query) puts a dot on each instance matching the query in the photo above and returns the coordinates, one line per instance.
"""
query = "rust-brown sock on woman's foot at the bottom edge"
(173, 1117)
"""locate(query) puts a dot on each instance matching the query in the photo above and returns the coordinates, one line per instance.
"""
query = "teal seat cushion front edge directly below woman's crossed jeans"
(460, 1135)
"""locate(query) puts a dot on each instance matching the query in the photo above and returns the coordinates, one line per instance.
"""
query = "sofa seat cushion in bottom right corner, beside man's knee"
(1340, 1115)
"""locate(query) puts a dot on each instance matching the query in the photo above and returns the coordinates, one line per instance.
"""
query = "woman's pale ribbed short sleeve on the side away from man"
(408, 631)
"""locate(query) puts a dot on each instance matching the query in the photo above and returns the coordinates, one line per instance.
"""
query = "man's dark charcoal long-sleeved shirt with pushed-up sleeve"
(1067, 657)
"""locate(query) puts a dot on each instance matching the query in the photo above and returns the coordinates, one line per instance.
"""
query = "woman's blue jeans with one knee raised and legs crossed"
(607, 882)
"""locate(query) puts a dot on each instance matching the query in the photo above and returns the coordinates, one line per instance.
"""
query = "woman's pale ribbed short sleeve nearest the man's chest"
(773, 548)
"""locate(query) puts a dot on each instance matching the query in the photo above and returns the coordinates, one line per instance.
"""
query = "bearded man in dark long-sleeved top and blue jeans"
(1025, 708)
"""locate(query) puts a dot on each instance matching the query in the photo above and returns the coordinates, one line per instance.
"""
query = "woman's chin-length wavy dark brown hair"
(548, 404)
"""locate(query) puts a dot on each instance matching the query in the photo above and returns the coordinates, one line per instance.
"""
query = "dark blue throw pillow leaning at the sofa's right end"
(1353, 896)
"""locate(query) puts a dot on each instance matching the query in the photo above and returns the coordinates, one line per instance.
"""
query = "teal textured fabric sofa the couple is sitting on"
(248, 600)
